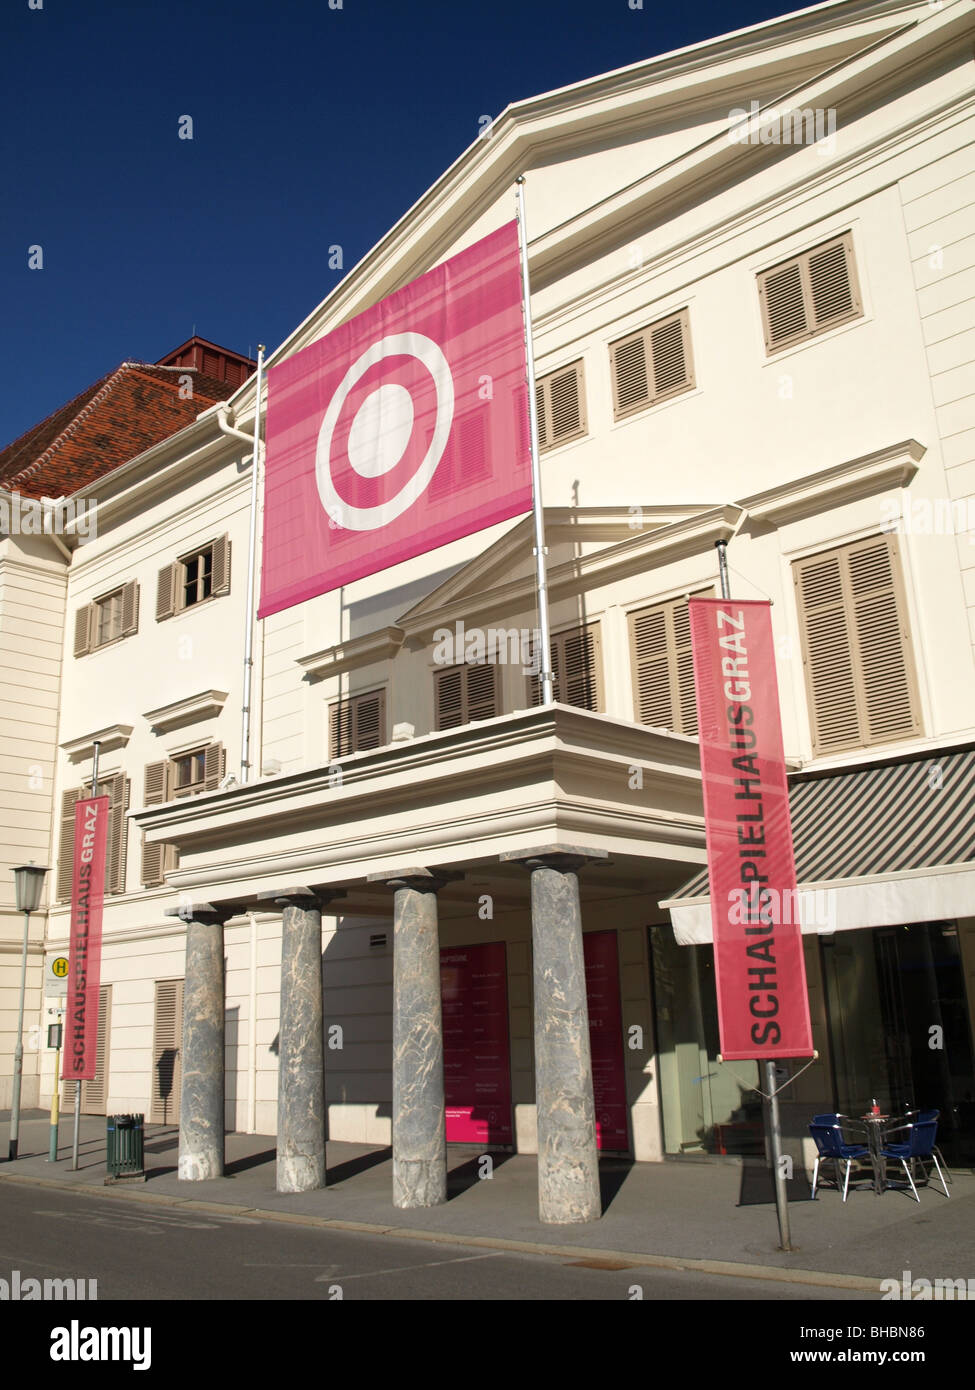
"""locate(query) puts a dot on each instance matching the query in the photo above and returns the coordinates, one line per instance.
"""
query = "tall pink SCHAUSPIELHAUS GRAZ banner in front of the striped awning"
(760, 974)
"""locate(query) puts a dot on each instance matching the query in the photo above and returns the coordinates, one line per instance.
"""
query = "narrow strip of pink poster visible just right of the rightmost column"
(606, 1039)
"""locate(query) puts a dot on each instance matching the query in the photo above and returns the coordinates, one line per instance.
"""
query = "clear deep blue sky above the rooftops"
(312, 127)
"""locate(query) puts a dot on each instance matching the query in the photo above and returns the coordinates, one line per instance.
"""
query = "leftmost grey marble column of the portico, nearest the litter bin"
(202, 1060)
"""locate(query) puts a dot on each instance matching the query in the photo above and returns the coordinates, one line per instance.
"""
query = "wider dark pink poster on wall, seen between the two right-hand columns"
(478, 1085)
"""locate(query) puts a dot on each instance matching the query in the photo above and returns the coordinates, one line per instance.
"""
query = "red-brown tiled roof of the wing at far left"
(119, 418)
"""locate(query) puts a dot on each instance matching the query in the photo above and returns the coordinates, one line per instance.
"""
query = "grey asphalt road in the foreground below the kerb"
(152, 1252)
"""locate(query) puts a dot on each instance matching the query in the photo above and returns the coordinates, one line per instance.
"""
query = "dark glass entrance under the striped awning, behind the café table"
(899, 1027)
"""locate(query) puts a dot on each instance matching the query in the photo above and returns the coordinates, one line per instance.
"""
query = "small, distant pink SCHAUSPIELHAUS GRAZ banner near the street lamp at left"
(81, 1031)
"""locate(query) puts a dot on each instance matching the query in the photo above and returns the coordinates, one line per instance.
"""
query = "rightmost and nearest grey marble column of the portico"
(568, 1161)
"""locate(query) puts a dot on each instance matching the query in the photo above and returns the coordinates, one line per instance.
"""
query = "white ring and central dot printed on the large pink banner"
(376, 415)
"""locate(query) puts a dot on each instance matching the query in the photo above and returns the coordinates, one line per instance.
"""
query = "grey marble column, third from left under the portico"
(419, 1136)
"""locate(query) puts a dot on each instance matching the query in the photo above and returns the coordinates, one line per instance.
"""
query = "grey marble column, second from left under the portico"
(301, 1147)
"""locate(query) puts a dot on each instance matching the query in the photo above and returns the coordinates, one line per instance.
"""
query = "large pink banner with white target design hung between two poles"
(403, 430)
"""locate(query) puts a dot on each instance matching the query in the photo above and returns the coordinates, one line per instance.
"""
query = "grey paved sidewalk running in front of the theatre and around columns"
(718, 1217)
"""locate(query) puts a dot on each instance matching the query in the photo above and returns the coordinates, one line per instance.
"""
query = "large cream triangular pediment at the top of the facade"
(652, 134)
